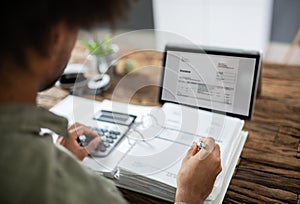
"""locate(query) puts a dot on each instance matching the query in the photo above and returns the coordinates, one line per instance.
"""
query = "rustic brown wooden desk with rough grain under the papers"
(269, 168)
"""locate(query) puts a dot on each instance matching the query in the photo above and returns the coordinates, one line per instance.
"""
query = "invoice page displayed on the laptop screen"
(211, 80)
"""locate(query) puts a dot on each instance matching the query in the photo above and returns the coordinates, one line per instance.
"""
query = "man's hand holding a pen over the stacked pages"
(198, 173)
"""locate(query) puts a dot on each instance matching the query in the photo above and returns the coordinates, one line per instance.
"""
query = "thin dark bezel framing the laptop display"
(217, 51)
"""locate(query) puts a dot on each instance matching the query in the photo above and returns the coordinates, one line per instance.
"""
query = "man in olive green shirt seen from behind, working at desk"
(37, 39)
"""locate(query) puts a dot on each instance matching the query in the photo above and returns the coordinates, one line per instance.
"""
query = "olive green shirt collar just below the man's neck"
(29, 118)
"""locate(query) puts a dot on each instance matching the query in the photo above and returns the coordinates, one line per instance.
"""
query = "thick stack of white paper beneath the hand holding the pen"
(151, 166)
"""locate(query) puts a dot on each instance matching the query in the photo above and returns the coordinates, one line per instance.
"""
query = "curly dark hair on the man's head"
(28, 23)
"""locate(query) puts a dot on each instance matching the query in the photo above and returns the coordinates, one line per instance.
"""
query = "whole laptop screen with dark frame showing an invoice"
(214, 79)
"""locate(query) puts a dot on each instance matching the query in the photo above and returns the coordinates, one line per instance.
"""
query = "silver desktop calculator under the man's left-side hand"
(112, 127)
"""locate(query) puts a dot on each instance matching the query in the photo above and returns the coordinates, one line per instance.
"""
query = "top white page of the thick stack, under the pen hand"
(159, 158)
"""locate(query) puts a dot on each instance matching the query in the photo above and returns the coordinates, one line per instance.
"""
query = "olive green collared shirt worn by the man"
(34, 170)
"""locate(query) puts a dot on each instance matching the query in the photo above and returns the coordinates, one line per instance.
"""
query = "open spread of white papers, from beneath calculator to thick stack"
(149, 157)
